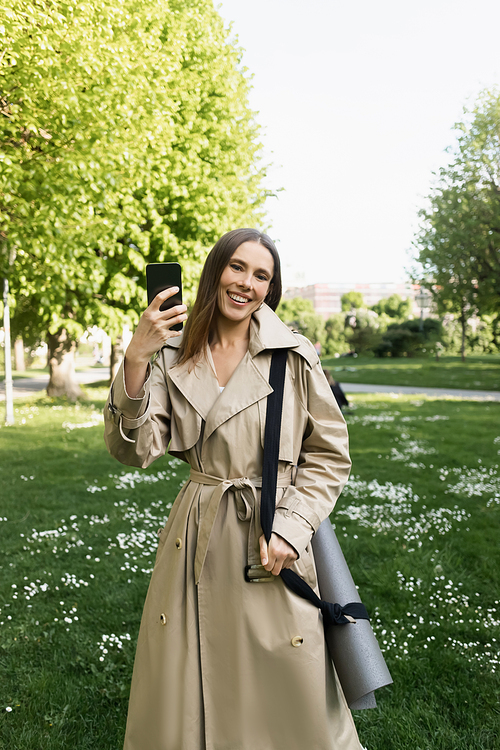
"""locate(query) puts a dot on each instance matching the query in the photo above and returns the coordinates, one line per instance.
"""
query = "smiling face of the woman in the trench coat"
(245, 281)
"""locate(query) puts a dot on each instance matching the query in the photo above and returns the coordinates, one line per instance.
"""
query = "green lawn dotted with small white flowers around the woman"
(425, 558)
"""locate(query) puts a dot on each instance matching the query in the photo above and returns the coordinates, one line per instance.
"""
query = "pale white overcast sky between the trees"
(357, 102)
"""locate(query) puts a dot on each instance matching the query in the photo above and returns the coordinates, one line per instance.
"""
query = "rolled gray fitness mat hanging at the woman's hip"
(354, 650)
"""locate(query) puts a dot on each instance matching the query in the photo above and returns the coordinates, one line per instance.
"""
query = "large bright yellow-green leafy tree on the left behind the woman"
(127, 138)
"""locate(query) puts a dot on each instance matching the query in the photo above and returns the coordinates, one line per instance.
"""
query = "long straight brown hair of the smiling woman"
(197, 328)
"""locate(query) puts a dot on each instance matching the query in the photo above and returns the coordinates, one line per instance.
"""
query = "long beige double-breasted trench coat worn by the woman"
(223, 664)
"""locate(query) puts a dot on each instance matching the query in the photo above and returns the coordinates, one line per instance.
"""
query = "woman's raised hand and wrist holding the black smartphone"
(153, 330)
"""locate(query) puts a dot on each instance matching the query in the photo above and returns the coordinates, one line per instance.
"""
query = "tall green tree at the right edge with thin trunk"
(458, 246)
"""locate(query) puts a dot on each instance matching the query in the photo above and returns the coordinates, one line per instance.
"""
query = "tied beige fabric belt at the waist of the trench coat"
(247, 503)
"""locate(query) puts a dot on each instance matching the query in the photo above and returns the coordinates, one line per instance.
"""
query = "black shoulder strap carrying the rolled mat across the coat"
(333, 614)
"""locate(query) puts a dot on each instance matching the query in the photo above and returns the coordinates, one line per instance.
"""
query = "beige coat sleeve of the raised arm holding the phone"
(137, 430)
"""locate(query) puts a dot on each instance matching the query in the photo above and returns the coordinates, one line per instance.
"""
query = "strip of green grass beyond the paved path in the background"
(477, 373)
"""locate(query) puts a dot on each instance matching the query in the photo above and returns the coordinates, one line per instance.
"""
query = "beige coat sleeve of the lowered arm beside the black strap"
(323, 466)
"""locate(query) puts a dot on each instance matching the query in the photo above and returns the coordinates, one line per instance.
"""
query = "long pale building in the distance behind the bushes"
(326, 297)
